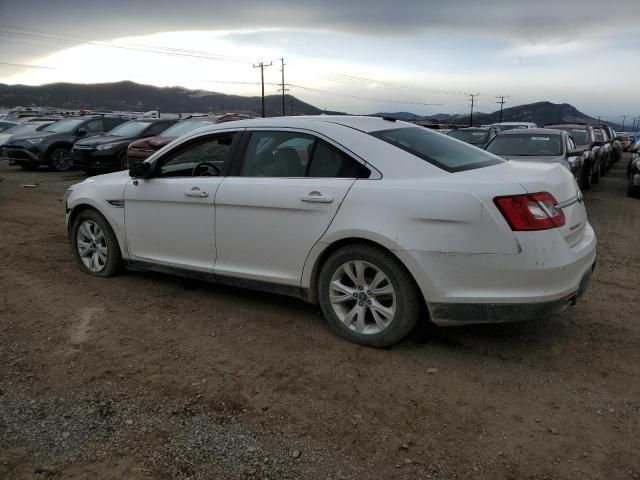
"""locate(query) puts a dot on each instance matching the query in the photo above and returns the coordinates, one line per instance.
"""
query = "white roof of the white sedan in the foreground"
(361, 123)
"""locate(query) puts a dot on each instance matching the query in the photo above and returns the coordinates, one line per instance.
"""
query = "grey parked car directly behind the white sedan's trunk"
(543, 145)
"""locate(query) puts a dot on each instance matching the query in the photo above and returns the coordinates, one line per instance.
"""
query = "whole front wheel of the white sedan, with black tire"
(101, 255)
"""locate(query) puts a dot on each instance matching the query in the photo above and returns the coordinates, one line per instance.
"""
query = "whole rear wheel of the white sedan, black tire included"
(399, 298)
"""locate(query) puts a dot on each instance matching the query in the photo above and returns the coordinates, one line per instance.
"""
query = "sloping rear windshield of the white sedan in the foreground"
(437, 149)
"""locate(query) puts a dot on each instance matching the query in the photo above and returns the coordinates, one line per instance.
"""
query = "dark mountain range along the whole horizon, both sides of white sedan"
(131, 96)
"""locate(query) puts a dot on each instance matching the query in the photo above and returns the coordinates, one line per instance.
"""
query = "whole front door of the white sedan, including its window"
(170, 217)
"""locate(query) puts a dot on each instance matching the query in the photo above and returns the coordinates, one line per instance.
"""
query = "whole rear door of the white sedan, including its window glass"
(285, 190)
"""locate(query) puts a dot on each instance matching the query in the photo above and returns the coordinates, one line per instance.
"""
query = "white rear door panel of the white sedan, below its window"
(265, 227)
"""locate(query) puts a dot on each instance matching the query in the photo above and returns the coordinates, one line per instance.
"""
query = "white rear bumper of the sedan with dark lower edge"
(543, 279)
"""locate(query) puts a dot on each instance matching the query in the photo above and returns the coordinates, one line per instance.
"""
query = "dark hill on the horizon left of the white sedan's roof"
(133, 96)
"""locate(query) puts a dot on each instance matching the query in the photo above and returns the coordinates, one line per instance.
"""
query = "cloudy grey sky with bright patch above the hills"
(357, 56)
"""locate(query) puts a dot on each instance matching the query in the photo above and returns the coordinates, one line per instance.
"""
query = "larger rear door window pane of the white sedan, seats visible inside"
(277, 154)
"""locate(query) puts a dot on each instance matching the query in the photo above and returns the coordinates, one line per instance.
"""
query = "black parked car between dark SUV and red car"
(108, 152)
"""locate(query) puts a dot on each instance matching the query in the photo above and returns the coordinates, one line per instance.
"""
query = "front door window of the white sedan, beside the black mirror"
(203, 158)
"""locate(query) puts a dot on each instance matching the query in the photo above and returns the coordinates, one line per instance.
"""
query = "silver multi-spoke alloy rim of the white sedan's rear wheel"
(362, 297)
